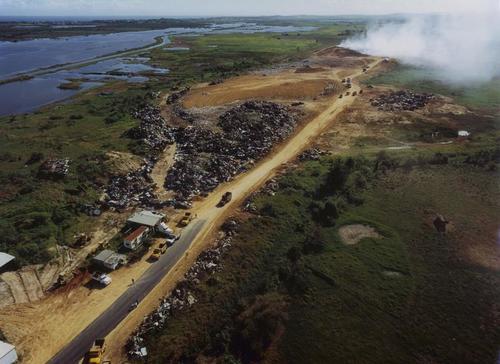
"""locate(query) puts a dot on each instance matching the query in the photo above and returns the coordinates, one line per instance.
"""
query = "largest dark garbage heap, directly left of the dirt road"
(207, 158)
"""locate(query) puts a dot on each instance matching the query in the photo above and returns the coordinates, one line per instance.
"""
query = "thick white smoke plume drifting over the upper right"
(460, 48)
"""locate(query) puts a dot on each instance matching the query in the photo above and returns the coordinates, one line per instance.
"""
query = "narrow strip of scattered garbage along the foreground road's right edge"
(182, 297)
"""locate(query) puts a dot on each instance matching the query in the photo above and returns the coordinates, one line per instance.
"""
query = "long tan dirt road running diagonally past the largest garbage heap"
(207, 211)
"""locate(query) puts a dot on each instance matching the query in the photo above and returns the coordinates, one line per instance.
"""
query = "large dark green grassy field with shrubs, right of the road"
(292, 292)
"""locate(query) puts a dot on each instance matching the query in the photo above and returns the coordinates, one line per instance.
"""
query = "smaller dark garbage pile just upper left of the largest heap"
(153, 130)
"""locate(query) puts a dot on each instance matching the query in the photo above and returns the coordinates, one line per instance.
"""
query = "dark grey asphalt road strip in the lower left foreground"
(110, 318)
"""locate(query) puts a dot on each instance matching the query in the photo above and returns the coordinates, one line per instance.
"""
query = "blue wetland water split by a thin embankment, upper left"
(28, 56)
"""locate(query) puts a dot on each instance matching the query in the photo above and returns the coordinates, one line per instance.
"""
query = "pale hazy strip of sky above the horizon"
(158, 8)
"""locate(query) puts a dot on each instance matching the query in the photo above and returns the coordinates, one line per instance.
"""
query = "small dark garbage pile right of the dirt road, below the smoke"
(401, 101)
